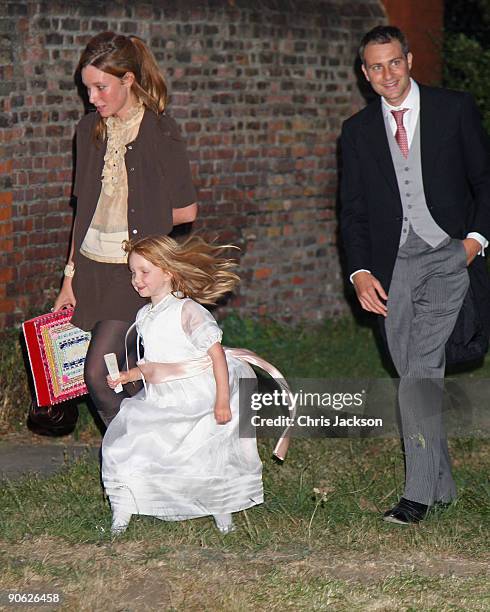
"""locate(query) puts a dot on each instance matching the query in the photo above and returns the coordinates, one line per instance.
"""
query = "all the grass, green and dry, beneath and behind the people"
(316, 543)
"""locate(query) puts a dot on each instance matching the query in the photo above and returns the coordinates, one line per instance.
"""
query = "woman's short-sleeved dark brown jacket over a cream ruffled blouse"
(159, 177)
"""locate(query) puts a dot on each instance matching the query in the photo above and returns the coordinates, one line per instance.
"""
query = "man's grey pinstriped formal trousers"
(426, 293)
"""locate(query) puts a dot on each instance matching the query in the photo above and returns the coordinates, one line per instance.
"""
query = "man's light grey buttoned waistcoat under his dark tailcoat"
(408, 171)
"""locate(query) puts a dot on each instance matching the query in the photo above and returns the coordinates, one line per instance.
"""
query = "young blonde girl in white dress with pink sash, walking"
(173, 451)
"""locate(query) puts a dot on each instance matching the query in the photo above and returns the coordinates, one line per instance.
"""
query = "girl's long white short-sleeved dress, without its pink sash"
(164, 455)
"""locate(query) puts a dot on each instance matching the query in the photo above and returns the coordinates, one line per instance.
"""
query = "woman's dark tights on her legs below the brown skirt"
(107, 337)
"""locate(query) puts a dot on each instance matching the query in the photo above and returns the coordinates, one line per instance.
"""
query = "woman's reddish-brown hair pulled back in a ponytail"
(117, 54)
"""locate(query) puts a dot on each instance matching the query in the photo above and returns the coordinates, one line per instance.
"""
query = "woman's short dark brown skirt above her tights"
(103, 292)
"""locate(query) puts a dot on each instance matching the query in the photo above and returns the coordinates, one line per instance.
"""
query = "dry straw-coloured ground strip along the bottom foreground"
(130, 576)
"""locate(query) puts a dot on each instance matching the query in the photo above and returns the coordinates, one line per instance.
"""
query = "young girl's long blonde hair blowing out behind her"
(197, 267)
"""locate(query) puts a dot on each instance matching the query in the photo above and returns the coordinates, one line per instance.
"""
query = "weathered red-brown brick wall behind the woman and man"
(260, 89)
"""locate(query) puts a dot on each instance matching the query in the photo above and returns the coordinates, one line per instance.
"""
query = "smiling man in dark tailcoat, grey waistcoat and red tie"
(415, 213)
